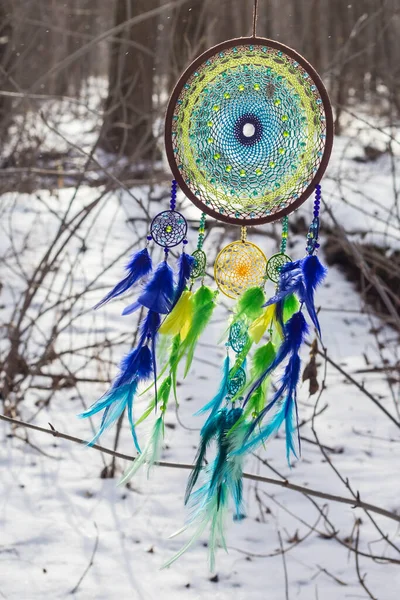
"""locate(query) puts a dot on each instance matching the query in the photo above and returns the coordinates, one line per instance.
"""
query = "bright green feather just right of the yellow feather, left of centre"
(203, 307)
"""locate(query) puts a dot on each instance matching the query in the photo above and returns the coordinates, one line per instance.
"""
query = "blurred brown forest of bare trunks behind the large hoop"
(51, 49)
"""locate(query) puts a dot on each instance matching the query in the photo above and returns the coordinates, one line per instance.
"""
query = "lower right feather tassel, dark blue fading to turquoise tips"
(295, 332)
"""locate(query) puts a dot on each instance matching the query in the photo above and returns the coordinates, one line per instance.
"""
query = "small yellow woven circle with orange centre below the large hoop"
(239, 266)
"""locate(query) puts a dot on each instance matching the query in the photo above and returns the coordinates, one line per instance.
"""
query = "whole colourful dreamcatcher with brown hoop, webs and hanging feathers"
(248, 135)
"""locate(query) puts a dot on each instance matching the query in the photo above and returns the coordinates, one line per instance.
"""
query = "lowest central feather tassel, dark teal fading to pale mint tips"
(223, 478)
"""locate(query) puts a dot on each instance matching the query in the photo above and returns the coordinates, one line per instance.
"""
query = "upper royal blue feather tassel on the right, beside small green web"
(301, 277)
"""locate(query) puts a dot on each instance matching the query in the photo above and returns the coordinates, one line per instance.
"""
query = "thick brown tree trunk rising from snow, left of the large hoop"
(128, 120)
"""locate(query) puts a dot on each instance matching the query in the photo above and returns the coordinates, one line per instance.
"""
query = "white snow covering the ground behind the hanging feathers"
(55, 508)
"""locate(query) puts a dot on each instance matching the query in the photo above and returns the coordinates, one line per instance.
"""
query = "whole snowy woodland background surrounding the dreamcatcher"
(83, 89)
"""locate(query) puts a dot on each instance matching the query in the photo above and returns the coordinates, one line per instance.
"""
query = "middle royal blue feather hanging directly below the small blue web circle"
(158, 293)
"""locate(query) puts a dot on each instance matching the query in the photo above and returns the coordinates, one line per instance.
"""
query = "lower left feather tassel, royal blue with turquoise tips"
(136, 366)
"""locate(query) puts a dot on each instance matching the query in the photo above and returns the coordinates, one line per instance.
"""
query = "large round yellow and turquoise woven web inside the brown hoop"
(248, 131)
